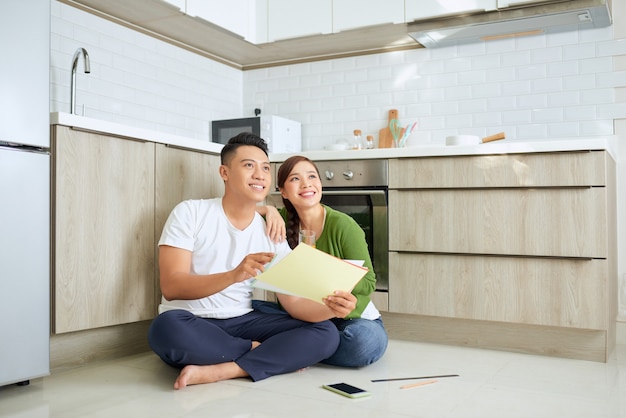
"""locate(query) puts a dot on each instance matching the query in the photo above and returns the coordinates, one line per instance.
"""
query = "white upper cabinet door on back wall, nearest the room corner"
(297, 18)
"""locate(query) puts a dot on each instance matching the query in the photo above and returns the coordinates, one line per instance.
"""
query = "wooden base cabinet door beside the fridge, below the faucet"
(103, 209)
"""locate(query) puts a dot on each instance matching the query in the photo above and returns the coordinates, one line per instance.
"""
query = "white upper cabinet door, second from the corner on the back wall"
(351, 14)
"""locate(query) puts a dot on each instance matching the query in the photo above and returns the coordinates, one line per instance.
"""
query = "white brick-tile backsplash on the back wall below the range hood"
(531, 88)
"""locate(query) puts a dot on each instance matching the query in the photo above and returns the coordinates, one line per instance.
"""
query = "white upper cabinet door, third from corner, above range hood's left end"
(419, 9)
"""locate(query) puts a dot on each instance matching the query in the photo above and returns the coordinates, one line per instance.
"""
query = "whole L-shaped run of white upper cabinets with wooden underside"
(253, 34)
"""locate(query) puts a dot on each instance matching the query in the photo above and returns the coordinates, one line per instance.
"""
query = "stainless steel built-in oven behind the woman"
(358, 188)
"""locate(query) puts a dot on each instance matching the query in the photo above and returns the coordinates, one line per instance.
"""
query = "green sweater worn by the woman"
(342, 237)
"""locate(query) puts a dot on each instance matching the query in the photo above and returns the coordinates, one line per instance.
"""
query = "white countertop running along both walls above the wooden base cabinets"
(506, 146)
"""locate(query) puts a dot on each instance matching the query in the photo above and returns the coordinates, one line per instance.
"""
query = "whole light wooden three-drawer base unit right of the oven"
(519, 248)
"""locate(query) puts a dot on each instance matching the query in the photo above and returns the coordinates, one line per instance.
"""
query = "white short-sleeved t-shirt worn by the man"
(201, 226)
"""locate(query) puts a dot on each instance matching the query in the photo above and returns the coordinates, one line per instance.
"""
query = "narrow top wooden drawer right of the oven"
(565, 169)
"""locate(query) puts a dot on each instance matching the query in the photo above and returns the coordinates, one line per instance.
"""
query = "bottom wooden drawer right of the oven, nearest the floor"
(555, 292)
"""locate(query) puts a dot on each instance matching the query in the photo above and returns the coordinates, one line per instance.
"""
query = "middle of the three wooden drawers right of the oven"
(531, 222)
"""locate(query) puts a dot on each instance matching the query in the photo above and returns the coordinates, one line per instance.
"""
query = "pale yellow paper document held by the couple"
(310, 273)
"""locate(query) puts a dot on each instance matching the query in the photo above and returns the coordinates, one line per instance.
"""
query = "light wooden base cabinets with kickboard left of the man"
(111, 197)
